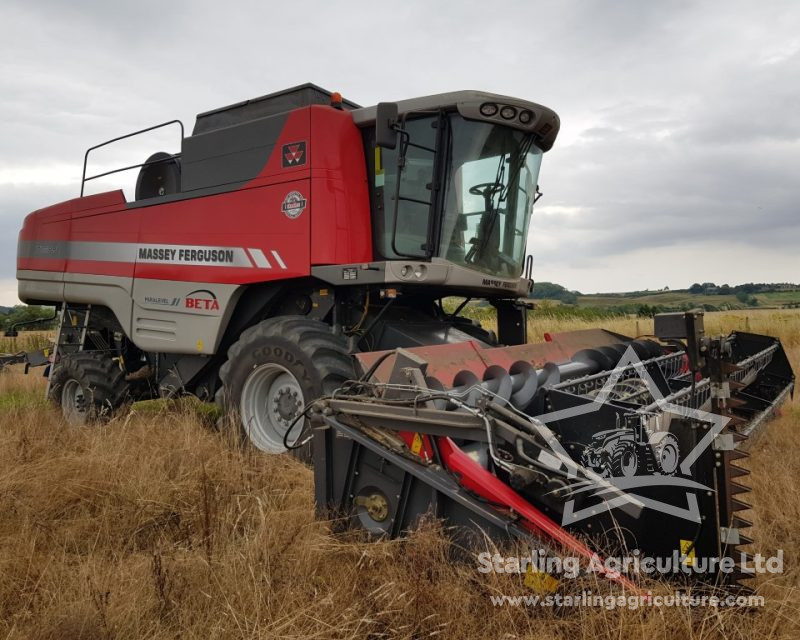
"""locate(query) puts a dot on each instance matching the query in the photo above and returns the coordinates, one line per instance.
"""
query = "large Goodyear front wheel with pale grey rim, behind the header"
(273, 371)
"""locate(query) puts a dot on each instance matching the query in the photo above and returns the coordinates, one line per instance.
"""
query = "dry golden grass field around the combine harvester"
(155, 526)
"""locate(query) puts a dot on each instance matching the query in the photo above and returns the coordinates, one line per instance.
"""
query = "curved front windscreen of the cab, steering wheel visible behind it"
(492, 173)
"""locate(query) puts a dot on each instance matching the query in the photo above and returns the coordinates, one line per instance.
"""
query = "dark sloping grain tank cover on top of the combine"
(271, 104)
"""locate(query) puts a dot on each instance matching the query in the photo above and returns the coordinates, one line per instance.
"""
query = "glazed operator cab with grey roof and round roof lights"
(454, 178)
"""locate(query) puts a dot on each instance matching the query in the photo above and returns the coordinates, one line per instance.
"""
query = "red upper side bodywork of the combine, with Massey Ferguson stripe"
(332, 228)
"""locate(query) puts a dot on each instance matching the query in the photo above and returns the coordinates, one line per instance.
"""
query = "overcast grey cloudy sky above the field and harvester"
(677, 162)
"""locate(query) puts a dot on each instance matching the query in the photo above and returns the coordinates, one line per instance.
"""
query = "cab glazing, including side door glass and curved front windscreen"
(480, 218)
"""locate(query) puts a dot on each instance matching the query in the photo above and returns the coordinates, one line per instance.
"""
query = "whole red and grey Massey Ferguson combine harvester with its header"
(298, 230)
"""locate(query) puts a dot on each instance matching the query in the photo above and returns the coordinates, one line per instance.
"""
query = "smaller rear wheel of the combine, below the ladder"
(88, 386)
